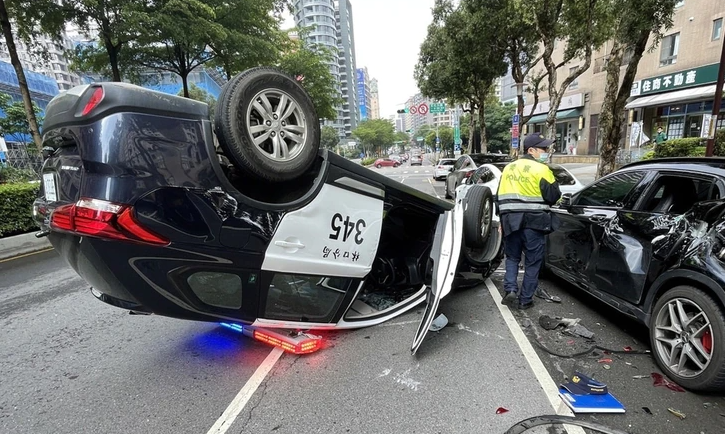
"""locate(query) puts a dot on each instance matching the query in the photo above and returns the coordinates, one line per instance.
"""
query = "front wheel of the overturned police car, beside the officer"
(477, 216)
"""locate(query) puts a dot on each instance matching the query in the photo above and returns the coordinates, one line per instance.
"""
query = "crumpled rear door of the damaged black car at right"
(625, 251)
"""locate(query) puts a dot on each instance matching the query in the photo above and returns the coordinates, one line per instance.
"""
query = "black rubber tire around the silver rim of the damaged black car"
(712, 378)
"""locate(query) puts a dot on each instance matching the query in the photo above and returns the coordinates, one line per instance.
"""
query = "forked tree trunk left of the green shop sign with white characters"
(615, 98)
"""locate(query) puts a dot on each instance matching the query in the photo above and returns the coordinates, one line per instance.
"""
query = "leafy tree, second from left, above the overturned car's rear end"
(120, 23)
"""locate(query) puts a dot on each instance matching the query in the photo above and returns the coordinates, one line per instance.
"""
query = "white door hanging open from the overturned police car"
(445, 253)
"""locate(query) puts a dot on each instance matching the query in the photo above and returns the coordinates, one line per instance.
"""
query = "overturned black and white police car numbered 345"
(243, 220)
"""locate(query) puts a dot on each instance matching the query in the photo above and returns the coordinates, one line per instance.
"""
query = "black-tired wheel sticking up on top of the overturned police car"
(236, 116)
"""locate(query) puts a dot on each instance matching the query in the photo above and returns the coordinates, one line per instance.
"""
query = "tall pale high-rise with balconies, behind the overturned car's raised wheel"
(332, 26)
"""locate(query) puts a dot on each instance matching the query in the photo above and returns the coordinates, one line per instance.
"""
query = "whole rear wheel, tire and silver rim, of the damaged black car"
(687, 330)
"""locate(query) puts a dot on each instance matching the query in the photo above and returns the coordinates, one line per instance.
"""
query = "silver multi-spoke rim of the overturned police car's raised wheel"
(276, 125)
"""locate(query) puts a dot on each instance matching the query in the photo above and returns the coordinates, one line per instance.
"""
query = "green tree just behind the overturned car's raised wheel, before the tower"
(310, 65)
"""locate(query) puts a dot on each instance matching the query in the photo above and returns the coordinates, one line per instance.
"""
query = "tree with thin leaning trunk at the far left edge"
(30, 18)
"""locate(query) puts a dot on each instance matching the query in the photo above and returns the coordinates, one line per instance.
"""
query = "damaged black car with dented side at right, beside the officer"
(649, 240)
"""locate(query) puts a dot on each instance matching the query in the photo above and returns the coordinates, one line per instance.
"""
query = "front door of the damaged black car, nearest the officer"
(573, 248)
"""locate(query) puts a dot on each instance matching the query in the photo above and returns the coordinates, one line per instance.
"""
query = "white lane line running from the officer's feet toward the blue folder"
(537, 366)
